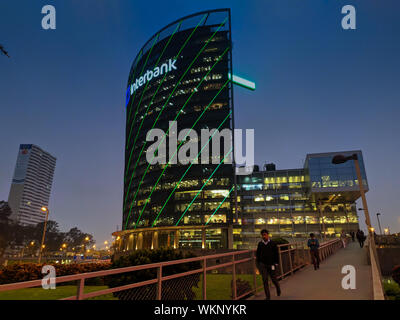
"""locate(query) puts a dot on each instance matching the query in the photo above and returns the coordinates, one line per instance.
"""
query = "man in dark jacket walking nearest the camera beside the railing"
(267, 260)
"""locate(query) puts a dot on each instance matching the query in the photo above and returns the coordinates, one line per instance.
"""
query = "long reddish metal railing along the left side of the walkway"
(231, 275)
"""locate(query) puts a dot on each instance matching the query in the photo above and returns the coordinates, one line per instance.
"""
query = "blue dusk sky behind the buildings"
(319, 88)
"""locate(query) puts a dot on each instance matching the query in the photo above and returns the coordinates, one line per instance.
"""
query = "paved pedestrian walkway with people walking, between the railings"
(326, 282)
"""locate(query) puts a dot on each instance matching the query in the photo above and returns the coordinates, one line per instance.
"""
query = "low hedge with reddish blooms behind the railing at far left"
(33, 271)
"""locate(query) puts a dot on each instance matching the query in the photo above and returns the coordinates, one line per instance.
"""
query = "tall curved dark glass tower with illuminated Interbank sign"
(179, 76)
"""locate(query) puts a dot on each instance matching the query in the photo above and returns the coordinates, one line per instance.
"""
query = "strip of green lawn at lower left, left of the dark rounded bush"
(58, 293)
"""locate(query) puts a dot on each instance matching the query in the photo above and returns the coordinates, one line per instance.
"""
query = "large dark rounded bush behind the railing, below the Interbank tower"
(176, 289)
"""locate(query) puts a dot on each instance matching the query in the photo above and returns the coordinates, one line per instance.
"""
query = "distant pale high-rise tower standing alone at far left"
(31, 184)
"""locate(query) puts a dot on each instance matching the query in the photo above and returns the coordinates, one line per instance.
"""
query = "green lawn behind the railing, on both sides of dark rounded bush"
(218, 288)
